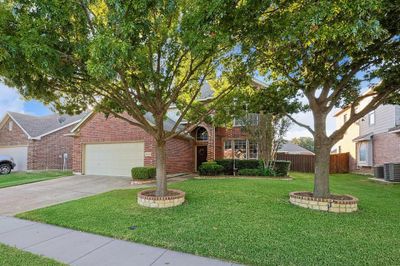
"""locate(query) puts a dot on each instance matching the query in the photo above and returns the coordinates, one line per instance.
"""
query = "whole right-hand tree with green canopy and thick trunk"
(325, 50)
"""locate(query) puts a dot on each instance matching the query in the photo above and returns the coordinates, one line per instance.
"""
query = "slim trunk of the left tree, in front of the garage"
(161, 169)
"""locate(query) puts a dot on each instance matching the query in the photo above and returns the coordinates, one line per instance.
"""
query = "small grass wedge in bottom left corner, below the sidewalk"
(12, 256)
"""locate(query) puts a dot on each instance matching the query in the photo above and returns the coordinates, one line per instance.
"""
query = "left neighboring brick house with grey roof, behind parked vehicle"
(38, 143)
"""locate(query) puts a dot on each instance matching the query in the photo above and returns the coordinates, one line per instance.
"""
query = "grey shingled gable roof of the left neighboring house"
(36, 127)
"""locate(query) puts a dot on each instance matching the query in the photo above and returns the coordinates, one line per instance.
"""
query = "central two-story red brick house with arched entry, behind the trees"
(111, 146)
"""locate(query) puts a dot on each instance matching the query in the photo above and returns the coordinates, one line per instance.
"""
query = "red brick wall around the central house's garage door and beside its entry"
(99, 129)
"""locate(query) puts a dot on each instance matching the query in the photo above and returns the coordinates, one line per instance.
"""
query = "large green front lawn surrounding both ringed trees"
(249, 221)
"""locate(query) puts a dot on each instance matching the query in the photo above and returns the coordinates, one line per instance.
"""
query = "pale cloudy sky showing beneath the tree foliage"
(10, 100)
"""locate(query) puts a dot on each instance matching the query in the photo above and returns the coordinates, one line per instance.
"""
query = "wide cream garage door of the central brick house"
(116, 159)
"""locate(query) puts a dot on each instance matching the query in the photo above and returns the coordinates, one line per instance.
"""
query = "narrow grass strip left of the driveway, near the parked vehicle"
(20, 178)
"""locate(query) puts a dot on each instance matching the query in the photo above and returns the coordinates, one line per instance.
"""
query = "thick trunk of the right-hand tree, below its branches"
(322, 157)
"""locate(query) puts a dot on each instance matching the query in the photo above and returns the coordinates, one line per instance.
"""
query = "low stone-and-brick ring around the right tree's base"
(336, 203)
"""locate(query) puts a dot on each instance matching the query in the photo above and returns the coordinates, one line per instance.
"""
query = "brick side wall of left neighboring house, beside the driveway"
(47, 153)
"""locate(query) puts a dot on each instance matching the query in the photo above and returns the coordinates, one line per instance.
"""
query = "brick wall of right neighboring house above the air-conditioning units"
(386, 148)
